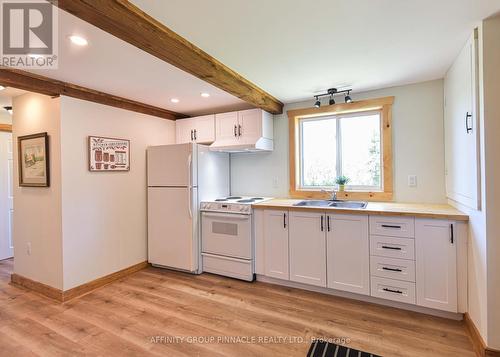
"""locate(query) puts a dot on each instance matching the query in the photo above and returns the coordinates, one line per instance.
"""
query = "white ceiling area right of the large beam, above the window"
(295, 48)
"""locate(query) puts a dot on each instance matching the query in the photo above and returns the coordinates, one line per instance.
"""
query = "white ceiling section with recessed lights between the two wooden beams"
(113, 66)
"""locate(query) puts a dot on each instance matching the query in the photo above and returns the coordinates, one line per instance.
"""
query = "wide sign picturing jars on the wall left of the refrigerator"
(108, 154)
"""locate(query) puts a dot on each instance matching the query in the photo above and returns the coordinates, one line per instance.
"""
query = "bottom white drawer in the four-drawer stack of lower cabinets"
(390, 289)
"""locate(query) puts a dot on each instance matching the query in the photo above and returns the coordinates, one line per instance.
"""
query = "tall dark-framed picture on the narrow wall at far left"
(33, 155)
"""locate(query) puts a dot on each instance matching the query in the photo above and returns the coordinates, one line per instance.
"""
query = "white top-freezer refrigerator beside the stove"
(179, 177)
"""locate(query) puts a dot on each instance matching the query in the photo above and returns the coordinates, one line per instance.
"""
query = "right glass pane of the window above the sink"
(361, 150)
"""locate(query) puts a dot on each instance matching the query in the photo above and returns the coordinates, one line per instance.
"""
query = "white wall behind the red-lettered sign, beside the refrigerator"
(104, 214)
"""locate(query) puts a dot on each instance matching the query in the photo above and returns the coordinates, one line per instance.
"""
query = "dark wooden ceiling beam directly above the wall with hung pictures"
(10, 77)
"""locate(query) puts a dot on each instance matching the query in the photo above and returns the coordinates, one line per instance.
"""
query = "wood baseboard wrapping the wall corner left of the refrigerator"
(63, 296)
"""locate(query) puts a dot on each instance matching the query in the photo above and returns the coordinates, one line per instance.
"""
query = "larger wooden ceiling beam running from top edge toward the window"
(127, 22)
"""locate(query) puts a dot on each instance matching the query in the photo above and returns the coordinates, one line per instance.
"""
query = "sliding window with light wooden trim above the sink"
(352, 140)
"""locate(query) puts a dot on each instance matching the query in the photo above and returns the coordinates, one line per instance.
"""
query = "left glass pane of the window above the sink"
(319, 158)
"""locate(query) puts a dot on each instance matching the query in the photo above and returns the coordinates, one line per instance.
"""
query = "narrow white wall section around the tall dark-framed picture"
(37, 210)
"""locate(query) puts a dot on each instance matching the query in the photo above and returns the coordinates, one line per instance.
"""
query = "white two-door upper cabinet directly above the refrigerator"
(200, 130)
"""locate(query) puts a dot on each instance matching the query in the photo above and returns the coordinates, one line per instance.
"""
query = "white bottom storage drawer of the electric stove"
(232, 267)
